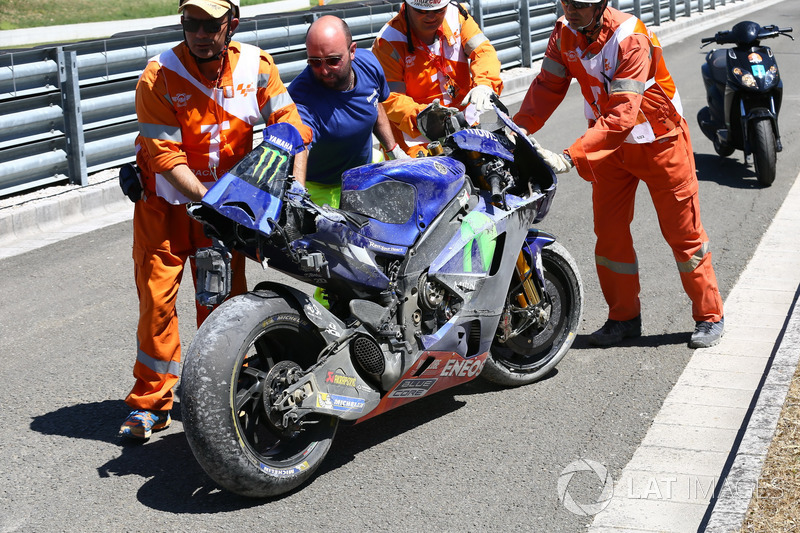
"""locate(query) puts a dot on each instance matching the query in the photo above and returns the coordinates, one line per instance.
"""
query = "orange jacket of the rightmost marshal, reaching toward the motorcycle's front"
(629, 94)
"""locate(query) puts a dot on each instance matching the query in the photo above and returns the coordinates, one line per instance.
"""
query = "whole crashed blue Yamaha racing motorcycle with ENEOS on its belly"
(433, 275)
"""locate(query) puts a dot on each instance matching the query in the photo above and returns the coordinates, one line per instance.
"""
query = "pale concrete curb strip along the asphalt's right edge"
(700, 462)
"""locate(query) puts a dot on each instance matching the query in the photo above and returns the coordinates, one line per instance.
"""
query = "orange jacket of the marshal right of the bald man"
(445, 72)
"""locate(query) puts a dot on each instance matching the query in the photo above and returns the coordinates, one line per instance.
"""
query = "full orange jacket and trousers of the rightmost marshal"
(636, 133)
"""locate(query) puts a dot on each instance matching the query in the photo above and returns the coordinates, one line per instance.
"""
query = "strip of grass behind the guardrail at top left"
(15, 14)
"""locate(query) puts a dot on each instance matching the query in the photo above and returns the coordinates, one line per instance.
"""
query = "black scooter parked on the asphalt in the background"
(744, 90)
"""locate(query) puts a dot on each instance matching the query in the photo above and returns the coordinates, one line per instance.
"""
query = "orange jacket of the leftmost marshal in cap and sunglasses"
(184, 119)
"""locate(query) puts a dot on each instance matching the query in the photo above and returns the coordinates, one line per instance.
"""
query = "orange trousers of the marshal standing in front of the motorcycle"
(667, 168)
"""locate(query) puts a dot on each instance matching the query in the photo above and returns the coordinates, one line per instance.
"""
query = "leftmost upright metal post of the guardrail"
(73, 120)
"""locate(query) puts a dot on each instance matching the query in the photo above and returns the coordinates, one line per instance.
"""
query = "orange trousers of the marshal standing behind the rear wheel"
(164, 237)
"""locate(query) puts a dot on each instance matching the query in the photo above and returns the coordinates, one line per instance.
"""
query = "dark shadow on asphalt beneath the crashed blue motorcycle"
(175, 482)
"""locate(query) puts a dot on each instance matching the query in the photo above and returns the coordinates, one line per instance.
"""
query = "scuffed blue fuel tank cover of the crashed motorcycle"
(432, 183)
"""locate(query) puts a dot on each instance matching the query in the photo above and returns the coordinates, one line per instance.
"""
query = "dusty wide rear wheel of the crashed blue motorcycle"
(243, 356)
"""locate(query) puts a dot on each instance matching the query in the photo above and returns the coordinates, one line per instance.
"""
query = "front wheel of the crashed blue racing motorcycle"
(532, 354)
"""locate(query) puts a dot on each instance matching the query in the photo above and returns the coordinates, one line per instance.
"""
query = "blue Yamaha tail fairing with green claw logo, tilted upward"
(251, 193)
